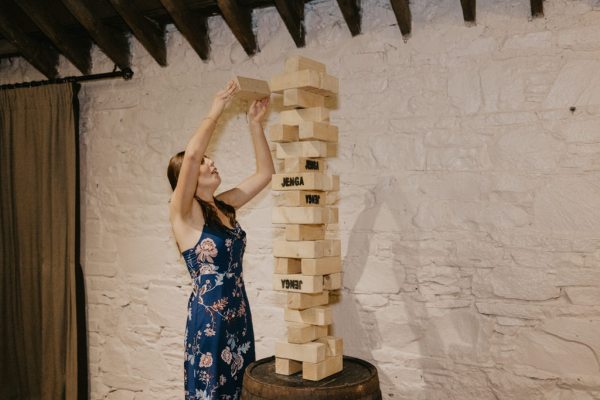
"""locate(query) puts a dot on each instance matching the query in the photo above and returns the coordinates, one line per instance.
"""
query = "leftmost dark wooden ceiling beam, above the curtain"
(43, 58)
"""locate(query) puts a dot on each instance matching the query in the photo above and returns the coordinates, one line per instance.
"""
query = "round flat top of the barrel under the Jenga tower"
(355, 372)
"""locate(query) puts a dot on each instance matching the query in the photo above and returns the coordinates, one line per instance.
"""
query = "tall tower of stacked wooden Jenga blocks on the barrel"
(307, 265)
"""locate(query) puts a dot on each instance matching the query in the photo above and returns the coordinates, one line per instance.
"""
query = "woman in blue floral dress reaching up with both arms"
(219, 339)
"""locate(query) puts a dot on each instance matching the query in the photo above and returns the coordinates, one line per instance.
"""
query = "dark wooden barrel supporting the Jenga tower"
(357, 381)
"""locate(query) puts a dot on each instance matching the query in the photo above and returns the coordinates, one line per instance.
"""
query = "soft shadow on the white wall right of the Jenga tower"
(402, 311)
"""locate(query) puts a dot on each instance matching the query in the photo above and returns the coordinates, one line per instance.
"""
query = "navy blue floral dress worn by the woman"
(219, 338)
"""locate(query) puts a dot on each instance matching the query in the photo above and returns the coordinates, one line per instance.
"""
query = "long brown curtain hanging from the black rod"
(38, 243)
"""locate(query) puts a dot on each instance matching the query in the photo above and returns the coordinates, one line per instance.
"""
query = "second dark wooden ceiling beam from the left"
(75, 48)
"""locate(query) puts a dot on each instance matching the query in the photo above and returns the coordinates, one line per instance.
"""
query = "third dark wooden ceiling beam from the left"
(113, 43)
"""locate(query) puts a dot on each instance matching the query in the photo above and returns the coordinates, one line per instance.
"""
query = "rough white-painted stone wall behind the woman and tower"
(470, 199)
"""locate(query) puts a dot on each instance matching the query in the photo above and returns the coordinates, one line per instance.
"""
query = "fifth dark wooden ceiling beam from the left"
(195, 30)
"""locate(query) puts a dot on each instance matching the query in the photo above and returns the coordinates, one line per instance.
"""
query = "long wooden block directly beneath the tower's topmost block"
(313, 81)
